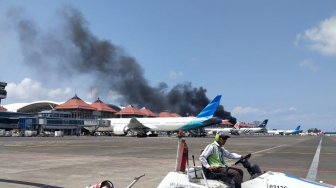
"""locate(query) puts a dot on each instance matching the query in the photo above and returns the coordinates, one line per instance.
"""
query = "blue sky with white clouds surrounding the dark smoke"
(271, 60)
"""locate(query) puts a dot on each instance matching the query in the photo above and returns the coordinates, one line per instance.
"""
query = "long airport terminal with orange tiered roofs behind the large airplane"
(73, 117)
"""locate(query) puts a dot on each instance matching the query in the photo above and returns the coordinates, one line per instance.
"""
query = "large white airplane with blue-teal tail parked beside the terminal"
(143, 126)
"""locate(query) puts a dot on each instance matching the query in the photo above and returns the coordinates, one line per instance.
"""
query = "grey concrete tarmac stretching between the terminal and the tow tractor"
(81, 161)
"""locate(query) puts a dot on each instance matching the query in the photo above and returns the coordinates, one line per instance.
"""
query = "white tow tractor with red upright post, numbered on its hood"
(194, 176)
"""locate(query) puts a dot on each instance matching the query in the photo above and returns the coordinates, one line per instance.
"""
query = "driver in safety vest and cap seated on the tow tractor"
(212, 159)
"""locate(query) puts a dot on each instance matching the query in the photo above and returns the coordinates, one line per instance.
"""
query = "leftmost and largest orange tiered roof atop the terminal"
(74, 103)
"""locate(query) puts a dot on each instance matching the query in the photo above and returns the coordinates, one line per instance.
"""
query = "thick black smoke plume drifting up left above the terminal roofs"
(72, 50)
